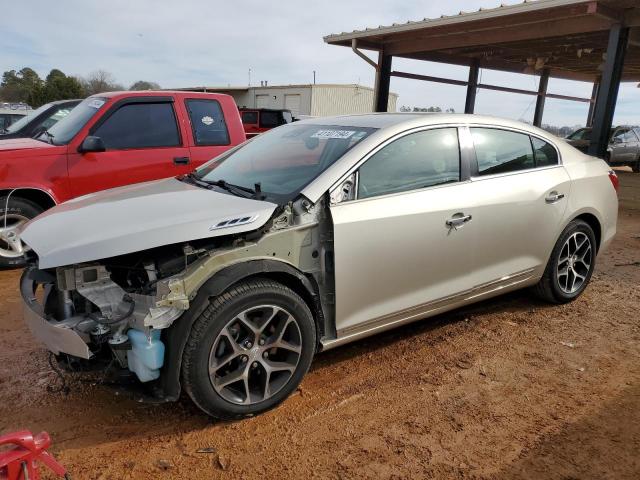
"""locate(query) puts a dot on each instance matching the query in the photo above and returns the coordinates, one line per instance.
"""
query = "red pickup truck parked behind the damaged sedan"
(109, 140)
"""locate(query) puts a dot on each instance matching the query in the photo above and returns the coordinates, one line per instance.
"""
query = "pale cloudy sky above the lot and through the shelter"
(198, 42)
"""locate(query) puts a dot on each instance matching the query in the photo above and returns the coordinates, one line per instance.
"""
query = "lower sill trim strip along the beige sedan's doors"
(425, 310)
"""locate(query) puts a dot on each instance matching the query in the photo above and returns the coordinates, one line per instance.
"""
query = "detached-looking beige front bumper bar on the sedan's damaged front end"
(58, 339)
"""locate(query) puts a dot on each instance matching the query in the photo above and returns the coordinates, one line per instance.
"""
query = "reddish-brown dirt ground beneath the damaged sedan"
(509, 388)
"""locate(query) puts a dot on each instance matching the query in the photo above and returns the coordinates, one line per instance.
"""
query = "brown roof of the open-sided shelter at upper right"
(567, 36)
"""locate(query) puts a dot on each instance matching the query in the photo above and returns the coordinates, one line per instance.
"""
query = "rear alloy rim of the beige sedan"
(574, 263)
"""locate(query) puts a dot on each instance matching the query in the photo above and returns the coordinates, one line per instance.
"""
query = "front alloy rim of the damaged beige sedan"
(255, 354)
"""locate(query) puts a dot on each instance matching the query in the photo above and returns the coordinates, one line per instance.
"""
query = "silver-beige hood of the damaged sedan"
(138, 217)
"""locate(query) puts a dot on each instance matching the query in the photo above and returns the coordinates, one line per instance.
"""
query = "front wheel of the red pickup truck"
(12, 215)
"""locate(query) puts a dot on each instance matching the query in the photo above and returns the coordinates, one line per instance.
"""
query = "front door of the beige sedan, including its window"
(395, 254)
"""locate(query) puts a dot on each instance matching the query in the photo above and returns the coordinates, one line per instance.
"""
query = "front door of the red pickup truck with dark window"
(143, 142)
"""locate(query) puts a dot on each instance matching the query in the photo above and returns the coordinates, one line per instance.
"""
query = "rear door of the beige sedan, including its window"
(518, 198)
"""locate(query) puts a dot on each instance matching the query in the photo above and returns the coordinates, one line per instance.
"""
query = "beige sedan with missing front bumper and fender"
(224, 283)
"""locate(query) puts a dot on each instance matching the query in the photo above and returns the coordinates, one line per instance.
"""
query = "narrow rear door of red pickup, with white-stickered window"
(209, 130)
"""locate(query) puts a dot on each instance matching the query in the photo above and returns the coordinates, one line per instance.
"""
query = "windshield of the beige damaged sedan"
(284, 160)
